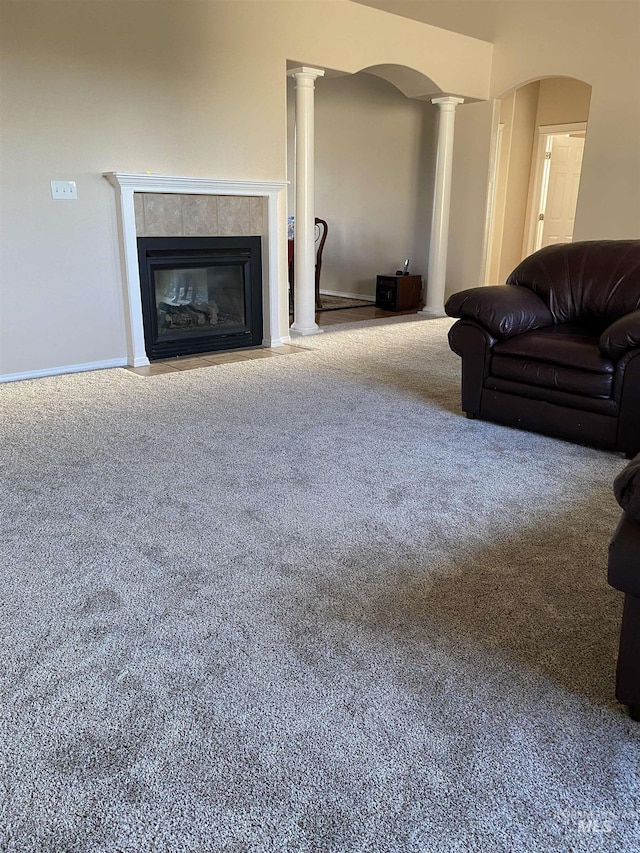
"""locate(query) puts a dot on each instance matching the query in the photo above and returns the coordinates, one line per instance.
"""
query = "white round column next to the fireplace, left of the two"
(304, 299)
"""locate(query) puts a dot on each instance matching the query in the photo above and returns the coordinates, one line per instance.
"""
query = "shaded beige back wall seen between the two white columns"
(374, 165)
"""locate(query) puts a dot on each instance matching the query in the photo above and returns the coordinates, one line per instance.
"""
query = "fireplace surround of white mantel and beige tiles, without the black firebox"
(162, 206)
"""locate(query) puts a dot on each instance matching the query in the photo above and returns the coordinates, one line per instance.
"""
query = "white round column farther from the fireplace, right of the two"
(441, 204)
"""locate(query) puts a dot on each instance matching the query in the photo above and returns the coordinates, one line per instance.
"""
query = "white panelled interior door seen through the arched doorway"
(562, 190)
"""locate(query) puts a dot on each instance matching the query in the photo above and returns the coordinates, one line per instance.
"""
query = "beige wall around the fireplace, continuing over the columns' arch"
(179, 88)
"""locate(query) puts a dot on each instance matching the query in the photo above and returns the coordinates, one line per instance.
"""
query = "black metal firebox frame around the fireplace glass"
(161, 253)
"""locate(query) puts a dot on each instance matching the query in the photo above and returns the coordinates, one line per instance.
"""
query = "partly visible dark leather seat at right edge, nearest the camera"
(624, 574)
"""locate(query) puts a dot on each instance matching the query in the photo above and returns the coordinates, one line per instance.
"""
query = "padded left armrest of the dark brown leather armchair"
(504, 310)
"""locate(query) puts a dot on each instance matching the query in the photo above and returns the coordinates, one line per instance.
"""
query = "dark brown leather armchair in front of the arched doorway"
(557, 348)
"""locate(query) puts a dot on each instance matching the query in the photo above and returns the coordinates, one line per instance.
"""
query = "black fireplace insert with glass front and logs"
(200, 294)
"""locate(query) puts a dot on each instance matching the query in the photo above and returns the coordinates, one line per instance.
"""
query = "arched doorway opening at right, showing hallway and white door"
(540, 131)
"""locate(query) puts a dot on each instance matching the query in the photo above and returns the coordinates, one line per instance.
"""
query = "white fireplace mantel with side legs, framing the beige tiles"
(274, 269)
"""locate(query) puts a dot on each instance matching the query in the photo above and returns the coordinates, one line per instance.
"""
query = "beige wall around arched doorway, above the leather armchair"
(597, 44)
